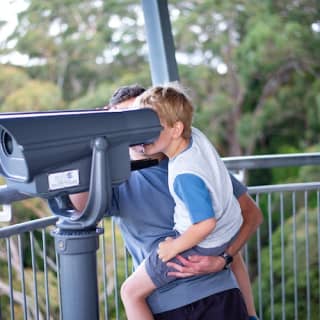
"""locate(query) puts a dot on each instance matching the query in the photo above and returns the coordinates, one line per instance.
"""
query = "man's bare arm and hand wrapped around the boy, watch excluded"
(196, 265)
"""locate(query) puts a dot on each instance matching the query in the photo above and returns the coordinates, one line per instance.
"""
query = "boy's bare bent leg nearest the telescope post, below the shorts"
(134, 292)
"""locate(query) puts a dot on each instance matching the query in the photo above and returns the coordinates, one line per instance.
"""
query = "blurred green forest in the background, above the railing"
(252, 68)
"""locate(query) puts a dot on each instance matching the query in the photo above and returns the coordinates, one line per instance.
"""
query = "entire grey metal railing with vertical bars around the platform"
(283, 257)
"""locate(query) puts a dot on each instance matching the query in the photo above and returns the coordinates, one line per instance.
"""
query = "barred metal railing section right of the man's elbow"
(283, 257)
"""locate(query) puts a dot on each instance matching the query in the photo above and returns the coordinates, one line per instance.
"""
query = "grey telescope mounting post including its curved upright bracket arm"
(77, 240)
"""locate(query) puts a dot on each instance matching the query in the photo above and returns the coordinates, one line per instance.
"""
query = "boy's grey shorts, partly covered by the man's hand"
(158, 270)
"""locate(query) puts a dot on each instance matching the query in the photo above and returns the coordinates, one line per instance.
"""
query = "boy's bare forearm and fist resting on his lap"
(197, 232)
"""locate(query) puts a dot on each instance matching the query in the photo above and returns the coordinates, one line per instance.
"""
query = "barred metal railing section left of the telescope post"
(21, 293)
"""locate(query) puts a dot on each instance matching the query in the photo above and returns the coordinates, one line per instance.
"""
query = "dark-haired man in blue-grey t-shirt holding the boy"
(144, 214)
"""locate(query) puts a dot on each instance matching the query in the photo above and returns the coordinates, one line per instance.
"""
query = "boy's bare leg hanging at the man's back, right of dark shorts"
(241, 273)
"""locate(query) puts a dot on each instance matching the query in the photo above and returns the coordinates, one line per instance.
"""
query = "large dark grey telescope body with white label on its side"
(49, 153)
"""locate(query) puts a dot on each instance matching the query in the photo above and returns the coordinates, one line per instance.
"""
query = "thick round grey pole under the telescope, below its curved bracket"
(78, 273)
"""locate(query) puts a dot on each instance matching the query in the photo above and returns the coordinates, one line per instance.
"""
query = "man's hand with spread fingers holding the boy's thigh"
(196, 265)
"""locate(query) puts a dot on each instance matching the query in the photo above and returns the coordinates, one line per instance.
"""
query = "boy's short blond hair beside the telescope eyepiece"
(171, 104)
